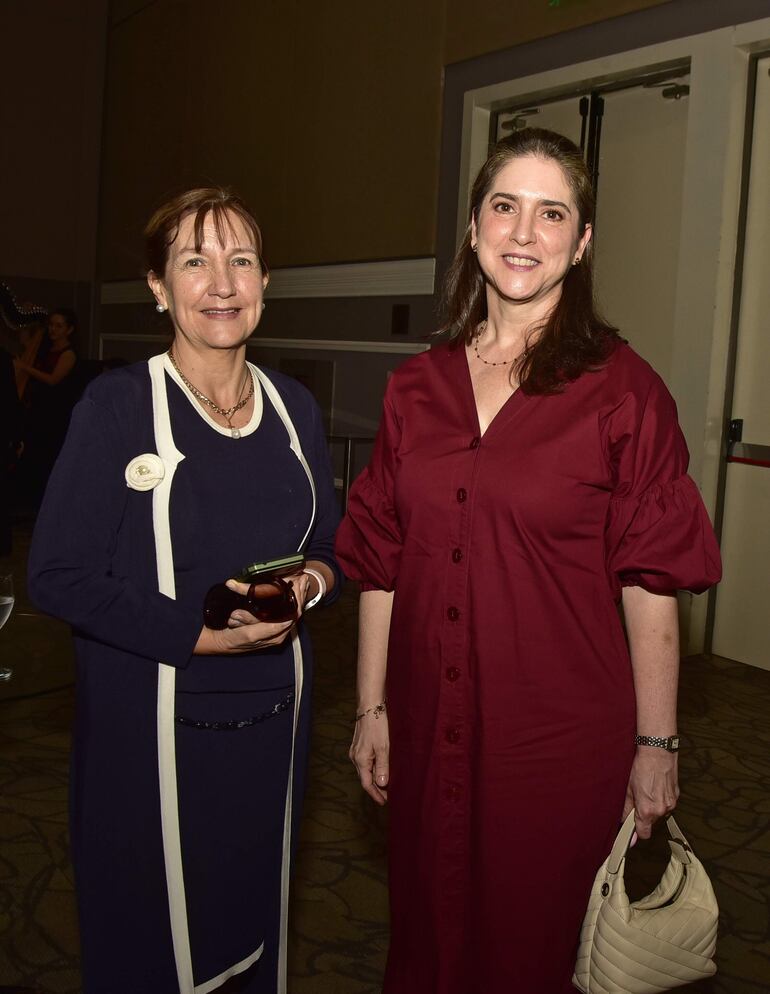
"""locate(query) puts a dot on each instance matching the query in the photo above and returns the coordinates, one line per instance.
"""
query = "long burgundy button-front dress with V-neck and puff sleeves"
(509, 685)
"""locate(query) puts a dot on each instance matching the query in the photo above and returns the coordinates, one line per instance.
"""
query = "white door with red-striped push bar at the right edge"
(742, 625)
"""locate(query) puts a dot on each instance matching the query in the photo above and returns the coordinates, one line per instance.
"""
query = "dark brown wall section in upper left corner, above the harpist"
(51, 79)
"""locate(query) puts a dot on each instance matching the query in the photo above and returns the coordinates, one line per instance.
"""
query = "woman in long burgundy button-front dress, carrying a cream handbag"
(527, 477)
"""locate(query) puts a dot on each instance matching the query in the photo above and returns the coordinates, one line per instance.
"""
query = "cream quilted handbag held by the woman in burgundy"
(663, 941)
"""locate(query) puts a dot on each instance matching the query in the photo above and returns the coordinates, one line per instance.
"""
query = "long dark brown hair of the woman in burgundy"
(574, 338)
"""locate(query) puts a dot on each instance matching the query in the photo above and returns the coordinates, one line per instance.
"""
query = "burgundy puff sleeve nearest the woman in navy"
(369, 540)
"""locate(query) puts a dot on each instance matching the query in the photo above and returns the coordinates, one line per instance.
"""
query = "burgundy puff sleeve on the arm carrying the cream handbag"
(658, 532)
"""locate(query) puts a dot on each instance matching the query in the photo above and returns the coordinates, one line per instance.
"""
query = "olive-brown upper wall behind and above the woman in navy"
(325, 116)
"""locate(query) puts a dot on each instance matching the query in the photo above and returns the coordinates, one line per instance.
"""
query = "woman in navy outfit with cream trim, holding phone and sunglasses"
(190, 743)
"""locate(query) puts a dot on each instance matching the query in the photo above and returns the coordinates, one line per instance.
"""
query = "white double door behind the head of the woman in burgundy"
(639, 202)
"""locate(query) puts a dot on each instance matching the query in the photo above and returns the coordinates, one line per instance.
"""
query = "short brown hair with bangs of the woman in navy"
(163, 227)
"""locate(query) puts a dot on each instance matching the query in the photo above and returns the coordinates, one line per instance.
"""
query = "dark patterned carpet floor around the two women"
(339, 915)
